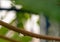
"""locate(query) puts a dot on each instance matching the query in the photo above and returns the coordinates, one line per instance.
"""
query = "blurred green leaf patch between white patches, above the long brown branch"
(22, 18)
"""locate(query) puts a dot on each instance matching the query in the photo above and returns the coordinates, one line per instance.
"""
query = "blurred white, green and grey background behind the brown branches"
(38, 24)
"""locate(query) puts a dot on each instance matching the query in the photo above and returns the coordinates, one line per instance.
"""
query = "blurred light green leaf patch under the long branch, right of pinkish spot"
(21, 38)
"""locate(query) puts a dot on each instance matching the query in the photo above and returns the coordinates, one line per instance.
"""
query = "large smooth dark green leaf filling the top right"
(50, 8)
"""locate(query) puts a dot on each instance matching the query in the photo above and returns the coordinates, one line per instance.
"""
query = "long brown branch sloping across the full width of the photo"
(29, 33)
